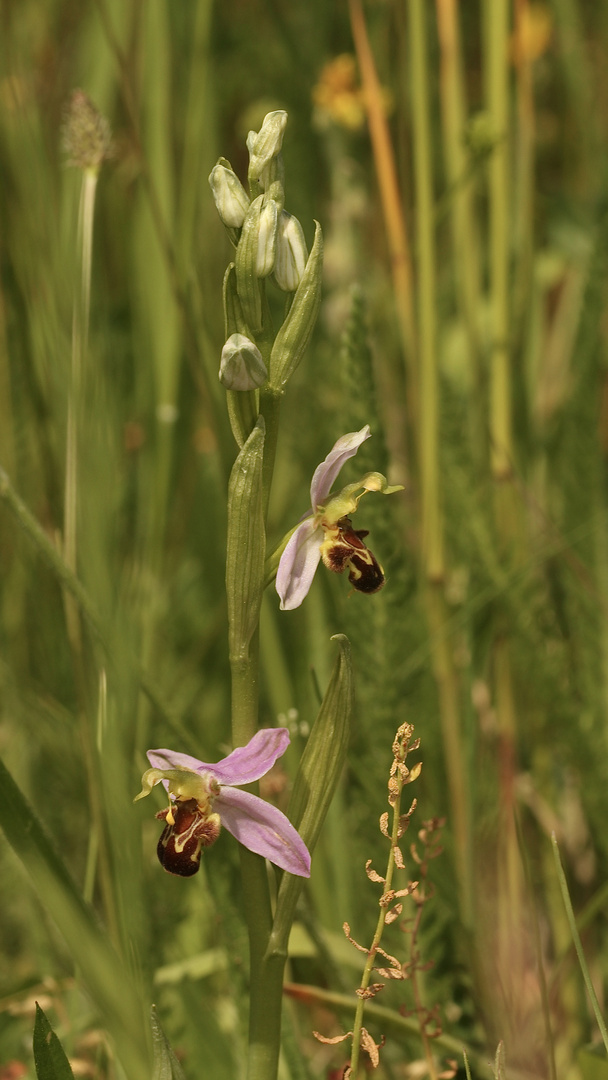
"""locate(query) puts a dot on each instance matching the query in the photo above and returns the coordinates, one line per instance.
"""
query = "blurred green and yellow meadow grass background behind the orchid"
(464, 319)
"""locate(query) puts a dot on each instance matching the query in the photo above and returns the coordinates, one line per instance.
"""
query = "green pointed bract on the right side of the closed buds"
(294, 335)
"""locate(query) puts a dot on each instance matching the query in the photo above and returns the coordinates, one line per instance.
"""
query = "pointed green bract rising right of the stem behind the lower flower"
(319, 773)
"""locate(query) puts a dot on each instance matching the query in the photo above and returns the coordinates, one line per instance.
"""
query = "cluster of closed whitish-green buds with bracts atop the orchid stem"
(269, 246)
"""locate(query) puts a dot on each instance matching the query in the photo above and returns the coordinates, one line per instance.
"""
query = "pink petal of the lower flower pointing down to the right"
(263, 829)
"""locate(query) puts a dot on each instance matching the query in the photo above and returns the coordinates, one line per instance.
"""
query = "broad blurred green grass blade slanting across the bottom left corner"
(103, 973)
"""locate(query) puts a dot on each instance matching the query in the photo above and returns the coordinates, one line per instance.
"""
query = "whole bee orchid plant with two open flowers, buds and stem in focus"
(258, 362)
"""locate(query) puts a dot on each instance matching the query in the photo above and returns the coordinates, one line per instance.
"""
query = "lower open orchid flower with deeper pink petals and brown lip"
(204, 798)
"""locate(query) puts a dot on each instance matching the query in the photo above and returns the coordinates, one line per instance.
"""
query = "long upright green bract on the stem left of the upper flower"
(247, 544)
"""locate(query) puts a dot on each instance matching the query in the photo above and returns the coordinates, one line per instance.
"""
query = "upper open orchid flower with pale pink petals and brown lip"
(327, 531)
